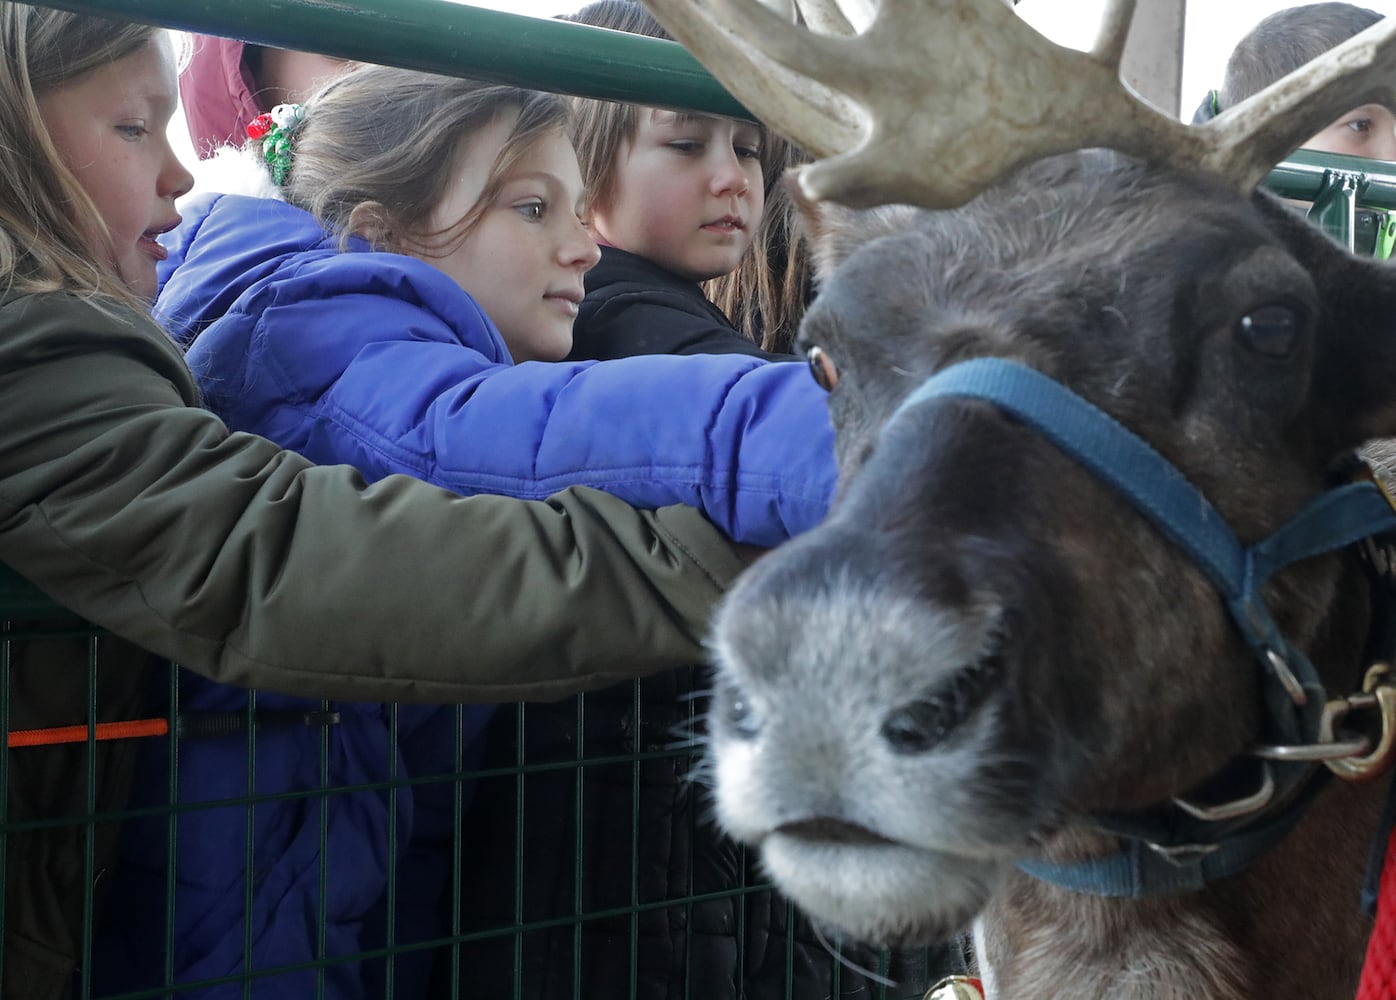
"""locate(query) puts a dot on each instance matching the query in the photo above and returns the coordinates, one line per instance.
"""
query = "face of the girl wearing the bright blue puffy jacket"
(526, 259)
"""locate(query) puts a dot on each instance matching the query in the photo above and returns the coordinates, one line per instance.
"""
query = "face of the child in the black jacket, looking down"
(688, 193)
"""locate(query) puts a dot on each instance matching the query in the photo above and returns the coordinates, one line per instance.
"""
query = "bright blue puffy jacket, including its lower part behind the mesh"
(383, 362)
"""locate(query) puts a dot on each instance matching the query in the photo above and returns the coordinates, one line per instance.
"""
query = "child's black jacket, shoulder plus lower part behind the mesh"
(629, 840)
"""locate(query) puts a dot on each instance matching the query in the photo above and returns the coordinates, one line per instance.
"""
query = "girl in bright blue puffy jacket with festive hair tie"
(396, 295)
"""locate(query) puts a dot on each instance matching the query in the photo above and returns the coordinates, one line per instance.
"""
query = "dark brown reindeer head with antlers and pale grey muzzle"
(985, 645)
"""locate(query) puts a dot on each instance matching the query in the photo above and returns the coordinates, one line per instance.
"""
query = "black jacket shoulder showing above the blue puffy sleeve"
(639, 308)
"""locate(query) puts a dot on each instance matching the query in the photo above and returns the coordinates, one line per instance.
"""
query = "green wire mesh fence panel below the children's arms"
(283, 848)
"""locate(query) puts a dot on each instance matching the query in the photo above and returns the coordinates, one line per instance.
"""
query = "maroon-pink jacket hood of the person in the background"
(216, 90)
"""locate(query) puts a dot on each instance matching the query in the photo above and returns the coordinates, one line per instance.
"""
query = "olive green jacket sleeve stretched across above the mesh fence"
(139, 510)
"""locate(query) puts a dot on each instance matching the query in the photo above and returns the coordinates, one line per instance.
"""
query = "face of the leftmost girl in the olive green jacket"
(110, 129)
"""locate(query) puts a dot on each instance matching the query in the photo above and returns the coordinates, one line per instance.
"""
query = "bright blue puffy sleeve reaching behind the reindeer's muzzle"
(387, 385)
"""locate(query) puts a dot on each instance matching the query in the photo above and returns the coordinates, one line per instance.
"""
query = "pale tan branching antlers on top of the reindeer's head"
(930, 101)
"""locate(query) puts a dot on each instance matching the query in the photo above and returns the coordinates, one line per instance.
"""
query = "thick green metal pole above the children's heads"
(452, 40)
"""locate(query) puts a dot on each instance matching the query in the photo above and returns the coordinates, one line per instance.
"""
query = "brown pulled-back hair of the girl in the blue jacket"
(379, 146)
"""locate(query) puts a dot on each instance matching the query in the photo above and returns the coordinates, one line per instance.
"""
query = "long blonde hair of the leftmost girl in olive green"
(52, 237)
